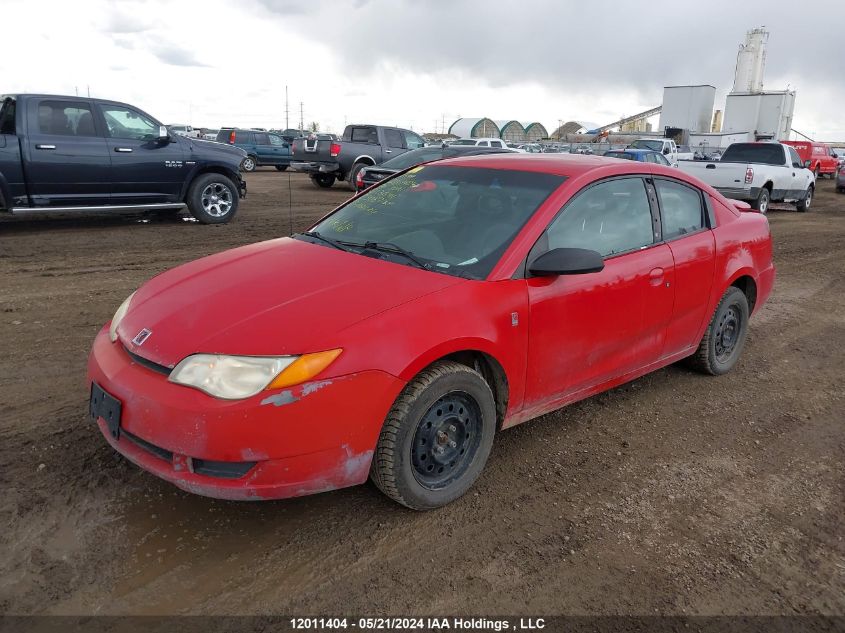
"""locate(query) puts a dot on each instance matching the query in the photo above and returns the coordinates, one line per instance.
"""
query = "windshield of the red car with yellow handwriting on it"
(452, 220)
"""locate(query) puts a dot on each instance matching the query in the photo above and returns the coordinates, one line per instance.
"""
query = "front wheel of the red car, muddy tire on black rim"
(436, 438)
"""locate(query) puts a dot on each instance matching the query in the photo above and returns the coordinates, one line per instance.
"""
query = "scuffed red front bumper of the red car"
(310, 438)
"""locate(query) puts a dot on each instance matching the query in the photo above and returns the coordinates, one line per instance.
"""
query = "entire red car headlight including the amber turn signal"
(238, 377)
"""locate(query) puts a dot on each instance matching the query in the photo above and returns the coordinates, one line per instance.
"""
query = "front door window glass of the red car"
(611, 217)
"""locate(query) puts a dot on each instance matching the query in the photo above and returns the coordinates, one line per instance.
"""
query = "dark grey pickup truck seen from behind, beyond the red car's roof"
(361, 146)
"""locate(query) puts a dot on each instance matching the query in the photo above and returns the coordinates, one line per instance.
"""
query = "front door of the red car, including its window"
(588, 329)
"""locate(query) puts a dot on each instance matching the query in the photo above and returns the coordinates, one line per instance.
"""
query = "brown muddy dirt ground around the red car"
(674, 494)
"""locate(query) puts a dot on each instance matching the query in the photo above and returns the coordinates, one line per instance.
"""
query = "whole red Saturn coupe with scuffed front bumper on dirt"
(396, 338)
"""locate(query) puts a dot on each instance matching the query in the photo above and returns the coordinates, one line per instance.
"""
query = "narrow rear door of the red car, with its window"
(686, 229)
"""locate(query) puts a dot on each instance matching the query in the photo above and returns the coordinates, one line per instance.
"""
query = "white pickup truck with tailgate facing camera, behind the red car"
(758, 173)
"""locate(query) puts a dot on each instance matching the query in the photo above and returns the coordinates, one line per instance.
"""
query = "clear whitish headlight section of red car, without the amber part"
(229, 377)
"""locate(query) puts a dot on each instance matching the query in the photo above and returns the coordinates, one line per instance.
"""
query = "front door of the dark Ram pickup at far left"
(145, 169)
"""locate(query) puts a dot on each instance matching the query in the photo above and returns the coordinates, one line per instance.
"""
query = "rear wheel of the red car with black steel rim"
(722, 343)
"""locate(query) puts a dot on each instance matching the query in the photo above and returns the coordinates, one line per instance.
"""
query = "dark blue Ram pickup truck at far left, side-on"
(72, 154)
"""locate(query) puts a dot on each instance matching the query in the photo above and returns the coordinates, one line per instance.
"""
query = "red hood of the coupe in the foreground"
(279, 297)
